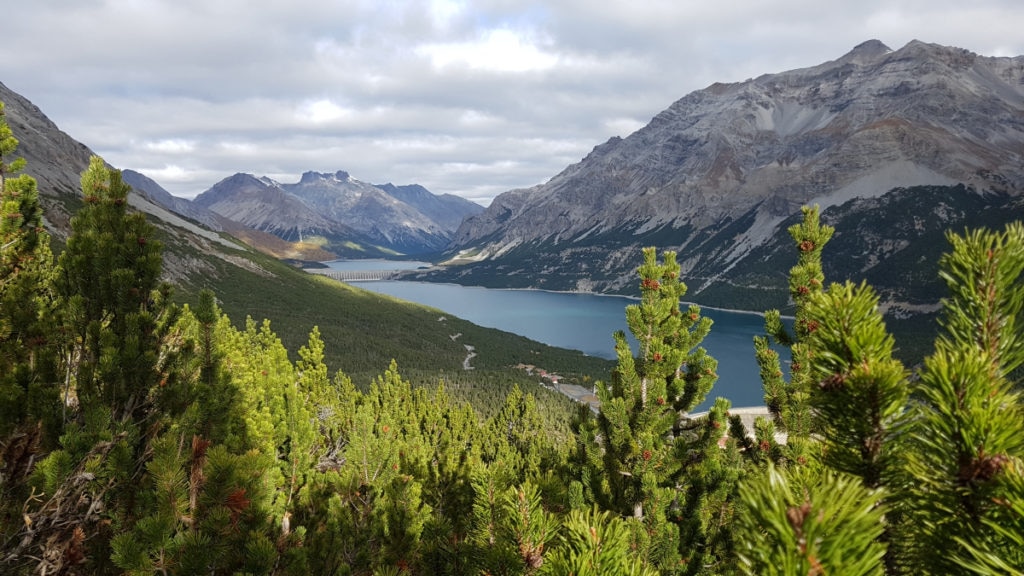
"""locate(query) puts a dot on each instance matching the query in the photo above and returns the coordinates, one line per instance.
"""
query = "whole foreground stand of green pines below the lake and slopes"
(140, 436)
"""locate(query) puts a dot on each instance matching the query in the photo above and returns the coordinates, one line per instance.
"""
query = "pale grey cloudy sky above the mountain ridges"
(467, 98)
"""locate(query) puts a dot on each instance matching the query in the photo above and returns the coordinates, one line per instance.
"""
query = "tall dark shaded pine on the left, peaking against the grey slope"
(113, 317)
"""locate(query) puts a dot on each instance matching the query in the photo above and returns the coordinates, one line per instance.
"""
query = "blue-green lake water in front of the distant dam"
(587, 322)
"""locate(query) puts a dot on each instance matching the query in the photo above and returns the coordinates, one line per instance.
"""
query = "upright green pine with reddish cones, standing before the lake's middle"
(644, 447)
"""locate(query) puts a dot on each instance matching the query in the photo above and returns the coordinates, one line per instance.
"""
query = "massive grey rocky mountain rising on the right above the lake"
(894, 146)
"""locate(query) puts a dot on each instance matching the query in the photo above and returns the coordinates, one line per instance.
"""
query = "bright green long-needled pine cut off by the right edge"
(966, 449)
